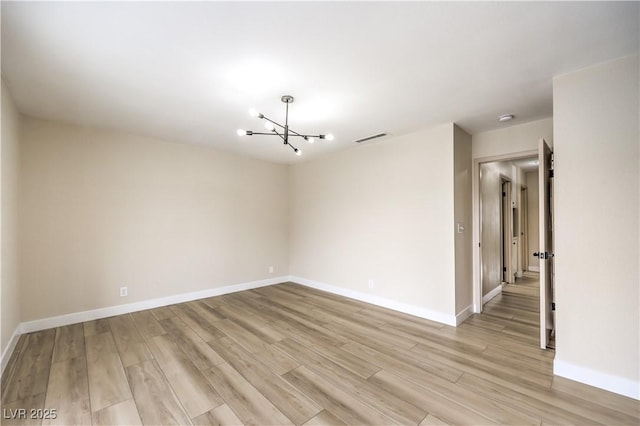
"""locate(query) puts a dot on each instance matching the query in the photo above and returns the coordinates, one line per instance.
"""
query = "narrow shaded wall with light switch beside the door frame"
(462, 216)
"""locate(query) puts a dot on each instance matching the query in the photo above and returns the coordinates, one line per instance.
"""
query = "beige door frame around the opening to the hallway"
(477, 237)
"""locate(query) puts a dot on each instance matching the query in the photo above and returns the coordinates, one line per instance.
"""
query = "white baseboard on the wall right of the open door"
(616, 384)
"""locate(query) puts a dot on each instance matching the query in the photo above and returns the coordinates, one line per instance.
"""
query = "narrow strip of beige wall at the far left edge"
(9, 290)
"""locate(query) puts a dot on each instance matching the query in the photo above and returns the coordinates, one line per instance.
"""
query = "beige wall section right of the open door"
(596, 122)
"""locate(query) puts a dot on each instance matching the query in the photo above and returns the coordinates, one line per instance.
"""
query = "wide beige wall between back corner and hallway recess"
(382, 211)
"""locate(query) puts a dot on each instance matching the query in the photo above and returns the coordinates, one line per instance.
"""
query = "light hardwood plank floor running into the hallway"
(288, 354)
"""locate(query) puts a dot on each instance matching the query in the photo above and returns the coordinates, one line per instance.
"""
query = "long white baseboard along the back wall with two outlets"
(77, 317)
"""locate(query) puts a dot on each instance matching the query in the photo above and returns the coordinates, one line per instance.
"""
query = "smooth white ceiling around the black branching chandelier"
(189, 71)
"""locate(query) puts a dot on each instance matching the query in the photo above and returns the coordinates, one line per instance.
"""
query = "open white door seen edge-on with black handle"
(545, 180)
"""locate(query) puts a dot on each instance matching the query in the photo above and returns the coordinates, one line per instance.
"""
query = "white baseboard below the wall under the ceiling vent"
(379, 301)
